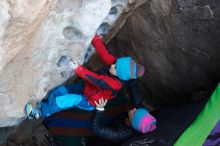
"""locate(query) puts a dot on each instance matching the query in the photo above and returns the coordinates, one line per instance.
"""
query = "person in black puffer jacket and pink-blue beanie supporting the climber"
(119, 130)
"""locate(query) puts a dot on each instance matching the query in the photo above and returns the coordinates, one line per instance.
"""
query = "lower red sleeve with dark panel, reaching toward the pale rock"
(103, 81)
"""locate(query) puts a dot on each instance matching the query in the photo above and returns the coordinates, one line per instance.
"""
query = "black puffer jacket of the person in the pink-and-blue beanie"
(119, 132)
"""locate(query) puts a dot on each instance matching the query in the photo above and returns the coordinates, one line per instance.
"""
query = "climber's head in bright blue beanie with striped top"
(126, 68)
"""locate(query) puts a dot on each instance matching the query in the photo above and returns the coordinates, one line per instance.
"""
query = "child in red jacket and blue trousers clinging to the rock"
(110, 80)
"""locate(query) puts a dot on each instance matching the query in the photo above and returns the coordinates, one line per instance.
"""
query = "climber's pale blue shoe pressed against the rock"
(32, 112)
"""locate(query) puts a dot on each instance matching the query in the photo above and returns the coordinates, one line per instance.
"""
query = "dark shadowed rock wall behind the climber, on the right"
(178, 42)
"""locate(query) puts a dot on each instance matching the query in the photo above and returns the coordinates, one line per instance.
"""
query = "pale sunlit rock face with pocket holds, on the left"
(34, 35)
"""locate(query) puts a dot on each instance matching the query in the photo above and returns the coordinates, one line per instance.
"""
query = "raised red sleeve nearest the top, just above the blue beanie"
(102, 51)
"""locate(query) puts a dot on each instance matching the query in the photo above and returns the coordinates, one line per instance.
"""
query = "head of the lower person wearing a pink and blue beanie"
(141, 120)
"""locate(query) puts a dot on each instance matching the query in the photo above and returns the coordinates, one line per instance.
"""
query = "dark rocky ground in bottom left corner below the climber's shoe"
(27, 133)
